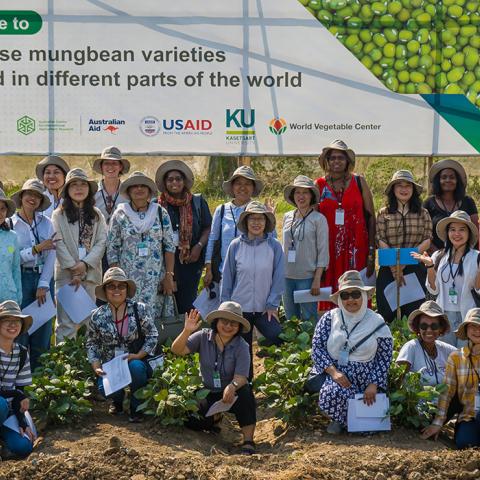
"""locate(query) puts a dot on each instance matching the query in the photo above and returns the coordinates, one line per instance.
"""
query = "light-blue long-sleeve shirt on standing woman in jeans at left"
(30, 235)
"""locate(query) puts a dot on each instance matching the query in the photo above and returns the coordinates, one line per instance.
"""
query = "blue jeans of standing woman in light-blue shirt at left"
(39, 341)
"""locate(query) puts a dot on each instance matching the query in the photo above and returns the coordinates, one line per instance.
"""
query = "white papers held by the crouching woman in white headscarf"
(364, 418)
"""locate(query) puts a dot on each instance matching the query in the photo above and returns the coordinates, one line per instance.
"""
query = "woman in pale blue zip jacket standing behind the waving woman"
(253, 273)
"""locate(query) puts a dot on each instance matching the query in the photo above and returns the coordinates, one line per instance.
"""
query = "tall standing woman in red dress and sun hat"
(347, 203)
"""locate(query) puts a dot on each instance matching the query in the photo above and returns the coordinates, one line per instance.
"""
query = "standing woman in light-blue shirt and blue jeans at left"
(37, 240)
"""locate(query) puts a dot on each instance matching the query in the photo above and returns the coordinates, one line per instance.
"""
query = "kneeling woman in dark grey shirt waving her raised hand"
(224, 363)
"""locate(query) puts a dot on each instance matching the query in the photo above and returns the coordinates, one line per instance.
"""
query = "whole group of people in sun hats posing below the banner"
(138, 247)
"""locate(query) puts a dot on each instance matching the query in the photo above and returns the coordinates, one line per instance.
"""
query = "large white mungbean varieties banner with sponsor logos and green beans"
(252, 77)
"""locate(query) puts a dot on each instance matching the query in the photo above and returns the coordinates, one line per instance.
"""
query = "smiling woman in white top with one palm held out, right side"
(453, 271)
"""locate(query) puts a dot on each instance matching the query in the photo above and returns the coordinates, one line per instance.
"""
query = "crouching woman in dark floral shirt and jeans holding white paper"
(121, 327)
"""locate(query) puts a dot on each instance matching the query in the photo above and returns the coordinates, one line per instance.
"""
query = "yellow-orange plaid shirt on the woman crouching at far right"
(462, 377)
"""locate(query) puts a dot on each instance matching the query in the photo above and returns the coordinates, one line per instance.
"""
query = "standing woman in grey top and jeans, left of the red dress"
(305, 244)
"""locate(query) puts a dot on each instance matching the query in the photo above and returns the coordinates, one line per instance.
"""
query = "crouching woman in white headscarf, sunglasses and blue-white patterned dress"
(353, 345)
